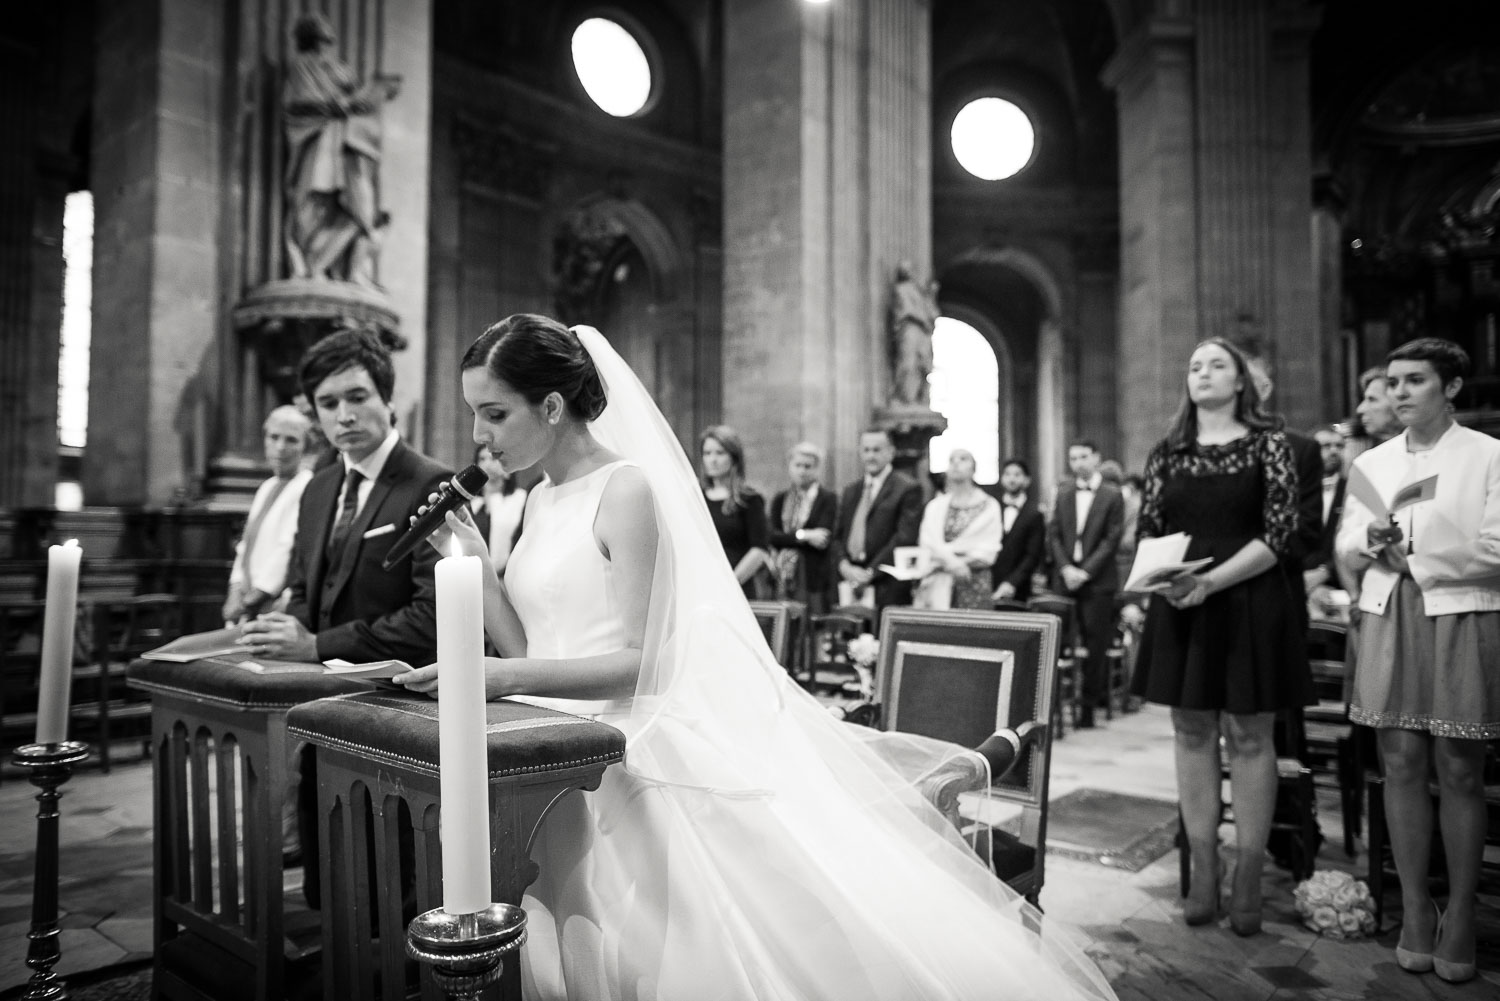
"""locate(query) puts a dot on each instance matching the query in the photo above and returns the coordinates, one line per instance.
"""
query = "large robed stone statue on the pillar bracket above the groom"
(334, 149)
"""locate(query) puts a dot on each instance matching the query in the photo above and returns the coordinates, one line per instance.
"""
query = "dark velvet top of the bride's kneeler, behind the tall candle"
(403, 730)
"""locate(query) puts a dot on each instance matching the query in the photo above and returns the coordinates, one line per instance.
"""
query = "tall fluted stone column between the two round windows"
(827, 190)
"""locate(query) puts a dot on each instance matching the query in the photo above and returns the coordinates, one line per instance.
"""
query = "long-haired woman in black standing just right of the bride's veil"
(737, 510)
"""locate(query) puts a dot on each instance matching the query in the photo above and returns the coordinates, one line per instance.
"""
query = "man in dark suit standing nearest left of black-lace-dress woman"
(1088, 523)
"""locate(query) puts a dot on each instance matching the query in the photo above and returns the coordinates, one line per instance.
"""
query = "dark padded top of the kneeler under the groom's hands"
(226, 684)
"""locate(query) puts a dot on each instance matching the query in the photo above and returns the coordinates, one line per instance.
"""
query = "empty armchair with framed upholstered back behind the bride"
(980, 681)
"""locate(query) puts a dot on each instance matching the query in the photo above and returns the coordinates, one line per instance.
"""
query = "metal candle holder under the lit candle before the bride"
(467, 952)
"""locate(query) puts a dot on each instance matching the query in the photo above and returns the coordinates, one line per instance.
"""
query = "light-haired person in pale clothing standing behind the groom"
(263, 555)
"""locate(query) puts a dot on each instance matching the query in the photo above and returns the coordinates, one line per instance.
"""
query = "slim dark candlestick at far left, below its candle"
(49, 768)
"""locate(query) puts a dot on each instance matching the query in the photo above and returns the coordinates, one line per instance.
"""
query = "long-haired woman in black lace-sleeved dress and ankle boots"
(1225, 648)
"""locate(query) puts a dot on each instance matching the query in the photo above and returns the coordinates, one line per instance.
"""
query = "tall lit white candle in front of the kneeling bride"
(463, 757)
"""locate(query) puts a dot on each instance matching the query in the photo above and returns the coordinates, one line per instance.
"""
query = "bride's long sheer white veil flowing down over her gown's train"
(829, 874)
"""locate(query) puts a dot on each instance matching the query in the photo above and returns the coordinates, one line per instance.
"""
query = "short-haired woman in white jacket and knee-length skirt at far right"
(1430, 630)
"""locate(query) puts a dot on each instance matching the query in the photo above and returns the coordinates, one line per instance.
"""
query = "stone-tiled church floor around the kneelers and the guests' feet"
(1130, 922)
